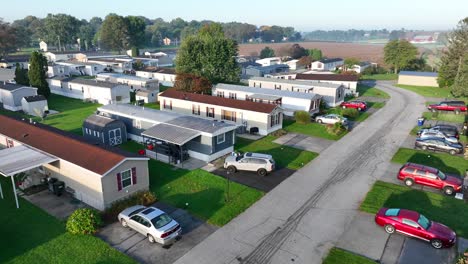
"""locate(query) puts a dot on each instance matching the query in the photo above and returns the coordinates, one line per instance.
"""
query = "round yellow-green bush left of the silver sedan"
(84, 221)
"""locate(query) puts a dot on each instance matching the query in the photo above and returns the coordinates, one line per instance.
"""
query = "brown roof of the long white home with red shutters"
(214, 100)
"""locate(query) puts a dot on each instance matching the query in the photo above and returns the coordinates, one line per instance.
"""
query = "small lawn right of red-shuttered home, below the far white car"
(311, 129)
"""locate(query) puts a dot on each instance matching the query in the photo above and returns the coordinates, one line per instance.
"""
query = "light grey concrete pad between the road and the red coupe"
(364, 237)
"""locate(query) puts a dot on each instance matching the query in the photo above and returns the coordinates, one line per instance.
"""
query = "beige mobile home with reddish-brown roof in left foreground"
(95, 175)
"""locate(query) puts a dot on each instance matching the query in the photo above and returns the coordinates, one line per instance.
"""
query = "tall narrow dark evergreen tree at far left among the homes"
(37, 73)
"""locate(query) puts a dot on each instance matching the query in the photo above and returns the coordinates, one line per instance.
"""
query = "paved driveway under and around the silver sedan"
(137, 246)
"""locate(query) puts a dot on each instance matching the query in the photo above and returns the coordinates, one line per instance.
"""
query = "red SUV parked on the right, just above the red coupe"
(412, 173)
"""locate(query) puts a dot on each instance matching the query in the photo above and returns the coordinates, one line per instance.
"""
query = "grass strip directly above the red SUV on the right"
(442, 161)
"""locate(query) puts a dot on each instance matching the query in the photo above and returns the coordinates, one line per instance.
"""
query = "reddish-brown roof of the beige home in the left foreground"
(63, 145)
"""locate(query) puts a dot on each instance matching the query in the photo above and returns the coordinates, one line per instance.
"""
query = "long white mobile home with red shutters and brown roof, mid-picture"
(251, 116)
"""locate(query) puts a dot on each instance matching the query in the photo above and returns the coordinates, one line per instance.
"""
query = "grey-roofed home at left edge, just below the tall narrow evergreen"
(12, 94)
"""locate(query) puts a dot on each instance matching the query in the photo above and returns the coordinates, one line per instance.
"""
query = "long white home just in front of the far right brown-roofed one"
(332, 94)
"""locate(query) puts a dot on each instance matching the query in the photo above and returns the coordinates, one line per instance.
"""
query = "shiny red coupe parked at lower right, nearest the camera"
(416, 225)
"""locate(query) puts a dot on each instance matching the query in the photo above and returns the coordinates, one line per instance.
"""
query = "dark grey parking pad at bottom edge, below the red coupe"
(418, 251)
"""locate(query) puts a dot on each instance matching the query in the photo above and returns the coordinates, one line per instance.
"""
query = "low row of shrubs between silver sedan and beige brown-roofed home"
(142, 198)
